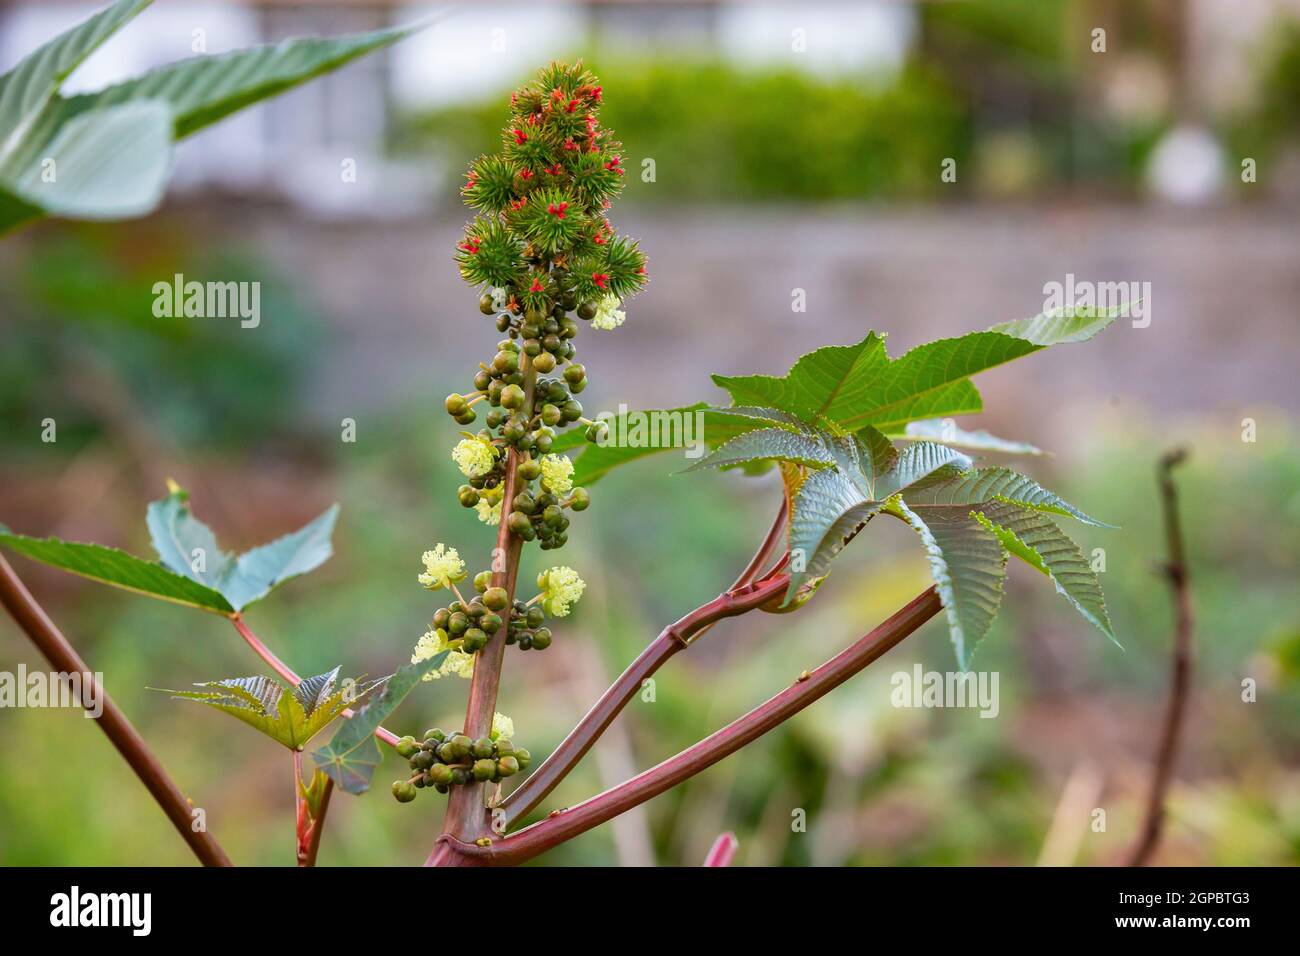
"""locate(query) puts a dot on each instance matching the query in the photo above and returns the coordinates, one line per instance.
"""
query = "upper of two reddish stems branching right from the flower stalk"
(673, 639)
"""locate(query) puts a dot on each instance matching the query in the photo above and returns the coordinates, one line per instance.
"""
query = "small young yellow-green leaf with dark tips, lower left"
(291, 719)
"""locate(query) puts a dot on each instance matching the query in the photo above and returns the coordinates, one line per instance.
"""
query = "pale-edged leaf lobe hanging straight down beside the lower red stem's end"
(969, 566)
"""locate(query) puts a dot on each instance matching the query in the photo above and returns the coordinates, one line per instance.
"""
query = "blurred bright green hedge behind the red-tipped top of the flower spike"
(756, 136)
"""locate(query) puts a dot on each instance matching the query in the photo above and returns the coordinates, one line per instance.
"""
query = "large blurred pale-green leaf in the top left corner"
(107, 154)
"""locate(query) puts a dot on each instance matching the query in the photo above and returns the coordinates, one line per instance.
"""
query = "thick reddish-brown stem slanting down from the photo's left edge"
(51, 643)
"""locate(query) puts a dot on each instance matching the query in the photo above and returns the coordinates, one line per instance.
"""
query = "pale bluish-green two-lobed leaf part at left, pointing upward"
(189, 548)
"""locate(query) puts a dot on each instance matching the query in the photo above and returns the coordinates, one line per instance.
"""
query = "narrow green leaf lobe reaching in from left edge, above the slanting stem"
(116, 568)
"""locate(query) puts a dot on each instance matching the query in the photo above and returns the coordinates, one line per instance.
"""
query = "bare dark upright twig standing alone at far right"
(1181, 672)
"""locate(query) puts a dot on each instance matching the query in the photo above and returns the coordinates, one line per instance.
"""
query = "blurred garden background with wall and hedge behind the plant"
(792, 148)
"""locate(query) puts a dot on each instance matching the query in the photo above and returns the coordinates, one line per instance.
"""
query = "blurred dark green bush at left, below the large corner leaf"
(81, 344)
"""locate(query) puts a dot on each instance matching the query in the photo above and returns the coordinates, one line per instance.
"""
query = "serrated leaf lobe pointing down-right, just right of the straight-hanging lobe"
(1038, 542)
